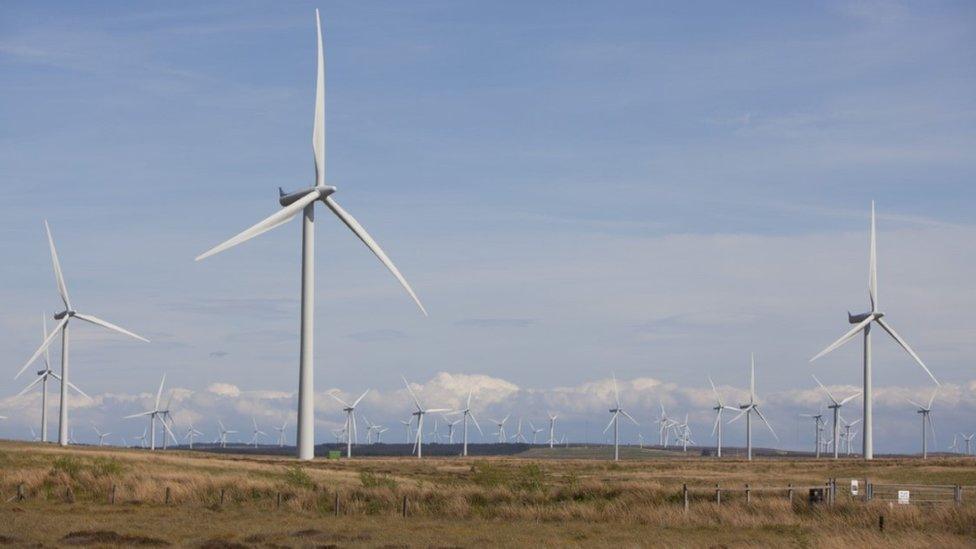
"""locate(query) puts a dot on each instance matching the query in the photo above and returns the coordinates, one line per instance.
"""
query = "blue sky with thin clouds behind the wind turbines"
(652, 189)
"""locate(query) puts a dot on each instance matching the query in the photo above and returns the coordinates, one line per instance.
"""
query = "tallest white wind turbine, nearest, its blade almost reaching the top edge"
(303, 202)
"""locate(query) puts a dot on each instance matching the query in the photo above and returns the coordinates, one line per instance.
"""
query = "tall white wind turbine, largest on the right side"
(863, 323)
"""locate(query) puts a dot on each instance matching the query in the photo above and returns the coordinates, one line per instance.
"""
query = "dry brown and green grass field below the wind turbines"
(512, 501)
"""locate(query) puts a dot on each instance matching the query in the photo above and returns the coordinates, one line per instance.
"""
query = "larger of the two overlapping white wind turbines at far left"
(63, 318)
